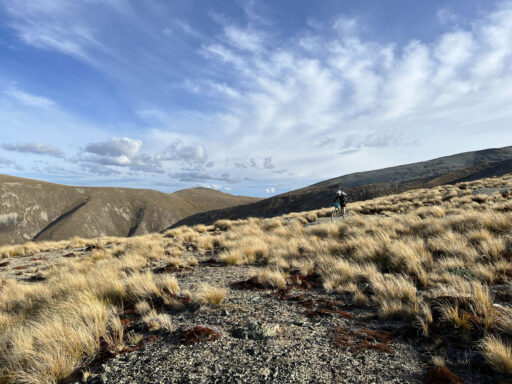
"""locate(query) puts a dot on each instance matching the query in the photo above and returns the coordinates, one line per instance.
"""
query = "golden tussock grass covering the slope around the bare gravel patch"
(429, 257)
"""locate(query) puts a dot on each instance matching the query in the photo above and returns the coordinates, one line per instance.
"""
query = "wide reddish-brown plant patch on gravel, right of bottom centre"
(361, 340)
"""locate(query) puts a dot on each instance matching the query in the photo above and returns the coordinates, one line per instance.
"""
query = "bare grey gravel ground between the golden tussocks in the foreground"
(263, 339)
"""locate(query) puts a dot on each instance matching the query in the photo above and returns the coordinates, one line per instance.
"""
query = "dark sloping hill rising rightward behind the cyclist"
(367, 185)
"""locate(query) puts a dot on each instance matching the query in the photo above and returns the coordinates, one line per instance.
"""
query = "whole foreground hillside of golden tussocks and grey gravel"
(411, 288)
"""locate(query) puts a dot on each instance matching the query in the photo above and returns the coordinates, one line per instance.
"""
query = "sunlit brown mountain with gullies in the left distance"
(36, 210)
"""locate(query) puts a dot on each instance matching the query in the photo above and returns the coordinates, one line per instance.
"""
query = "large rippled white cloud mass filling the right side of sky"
(387, 101)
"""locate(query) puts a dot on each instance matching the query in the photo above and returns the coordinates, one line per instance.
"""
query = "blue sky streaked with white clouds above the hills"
(246, 96)
